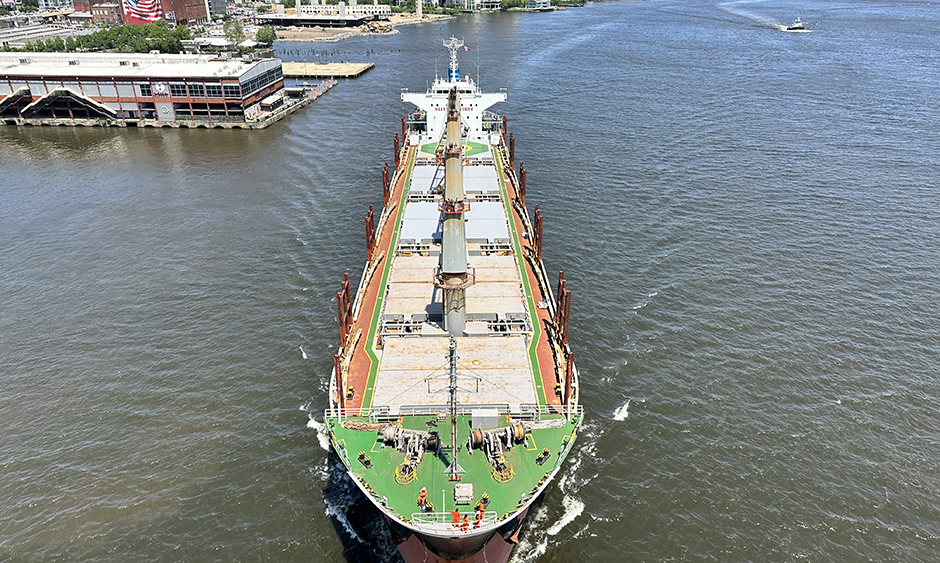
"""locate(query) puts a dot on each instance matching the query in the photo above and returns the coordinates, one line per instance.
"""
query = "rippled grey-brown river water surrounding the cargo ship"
(748, 219)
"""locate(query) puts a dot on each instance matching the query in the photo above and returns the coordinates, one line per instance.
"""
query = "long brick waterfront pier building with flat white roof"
(139, 88)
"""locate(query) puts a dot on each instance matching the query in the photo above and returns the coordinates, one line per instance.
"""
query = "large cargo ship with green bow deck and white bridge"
(454, 394)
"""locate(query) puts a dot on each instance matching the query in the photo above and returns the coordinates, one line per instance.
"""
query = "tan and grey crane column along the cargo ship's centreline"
(453, 276)
